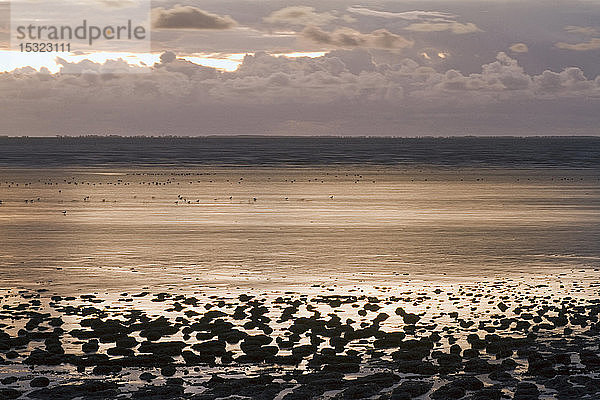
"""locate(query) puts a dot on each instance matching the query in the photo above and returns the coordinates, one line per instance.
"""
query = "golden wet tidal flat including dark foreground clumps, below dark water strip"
(299, 283)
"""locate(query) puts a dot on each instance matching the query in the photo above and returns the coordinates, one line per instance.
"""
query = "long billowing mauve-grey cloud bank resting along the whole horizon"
(345, 91)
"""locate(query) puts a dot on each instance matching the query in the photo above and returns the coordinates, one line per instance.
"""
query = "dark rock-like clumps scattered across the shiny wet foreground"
(298, 347)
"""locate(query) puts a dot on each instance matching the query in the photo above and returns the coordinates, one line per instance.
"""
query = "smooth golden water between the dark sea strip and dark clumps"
(166, 226)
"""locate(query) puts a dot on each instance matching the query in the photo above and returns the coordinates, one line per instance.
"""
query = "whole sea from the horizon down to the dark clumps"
(87, 213)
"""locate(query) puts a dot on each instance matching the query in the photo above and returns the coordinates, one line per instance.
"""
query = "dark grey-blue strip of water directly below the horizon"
(467, 151)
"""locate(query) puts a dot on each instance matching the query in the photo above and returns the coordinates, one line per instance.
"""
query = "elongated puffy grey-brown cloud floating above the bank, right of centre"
(347, 37)
